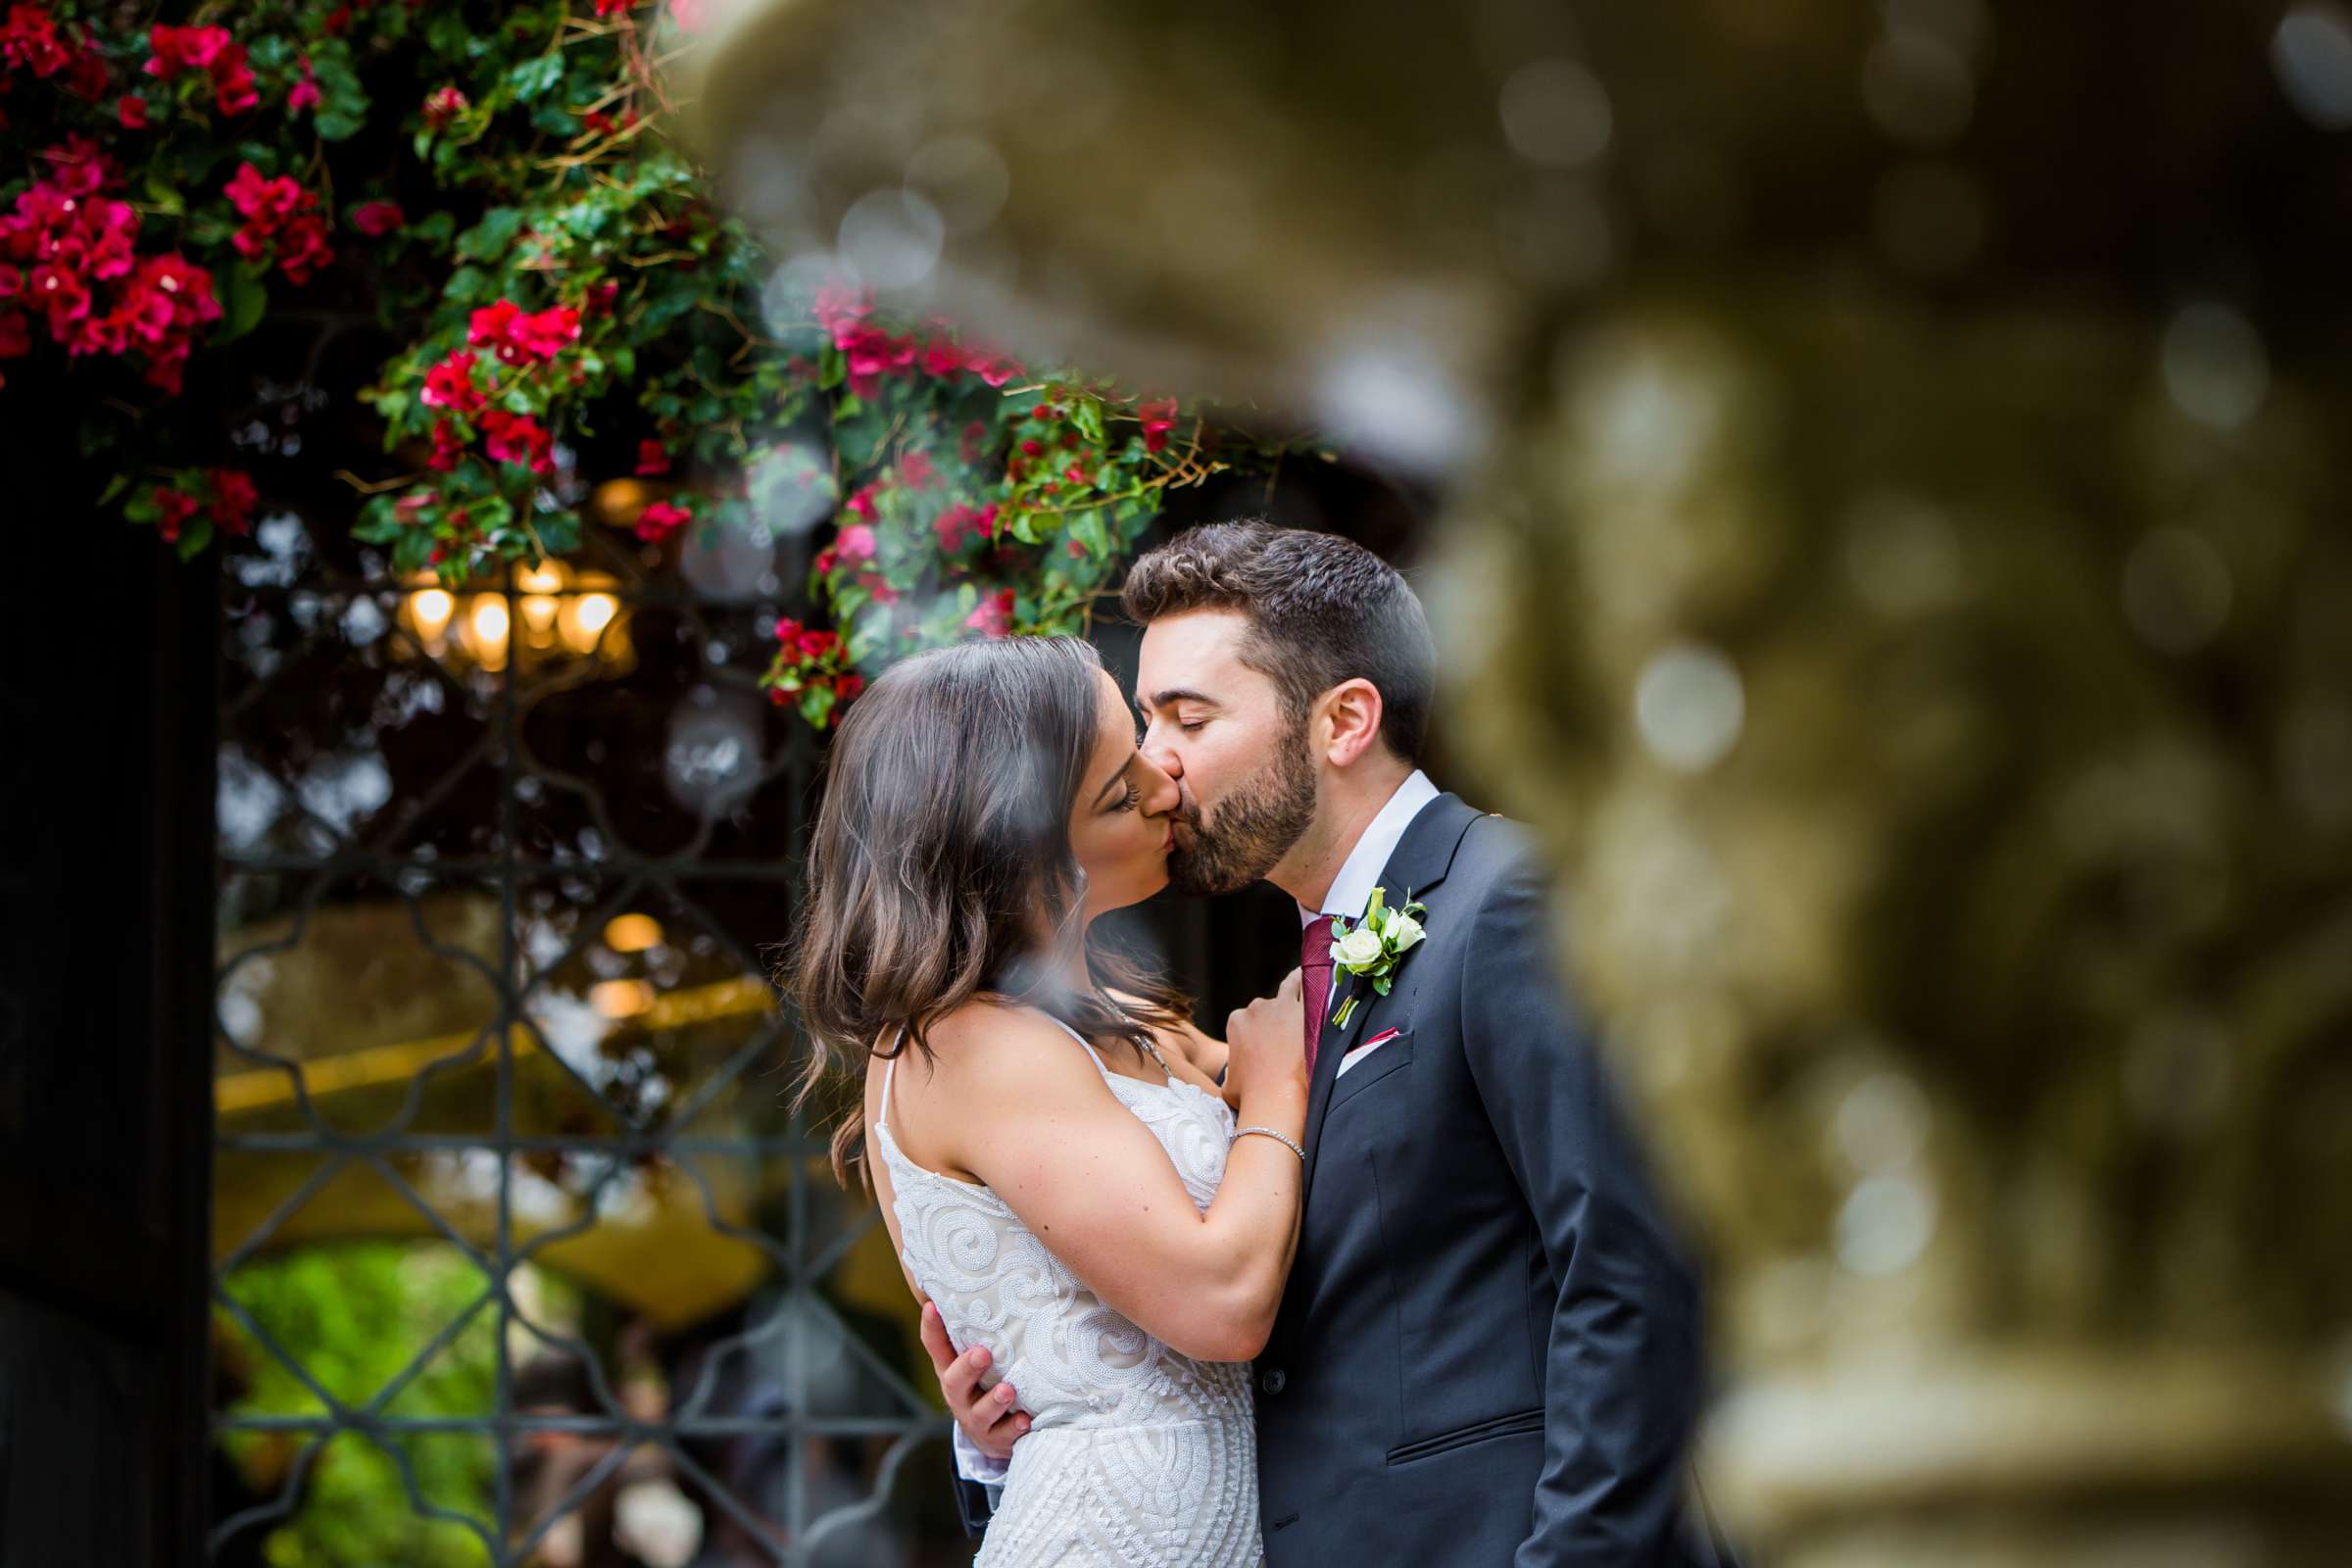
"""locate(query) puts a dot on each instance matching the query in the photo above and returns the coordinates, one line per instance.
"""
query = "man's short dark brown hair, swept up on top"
(1321, 610)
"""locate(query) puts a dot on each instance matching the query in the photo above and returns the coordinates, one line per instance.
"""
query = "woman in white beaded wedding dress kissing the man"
(1043, 1127)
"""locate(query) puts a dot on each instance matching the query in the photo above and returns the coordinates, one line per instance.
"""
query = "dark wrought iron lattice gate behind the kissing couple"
(497, 1052)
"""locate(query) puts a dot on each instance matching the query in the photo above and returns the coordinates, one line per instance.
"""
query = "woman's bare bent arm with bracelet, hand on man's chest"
(1043, 1132)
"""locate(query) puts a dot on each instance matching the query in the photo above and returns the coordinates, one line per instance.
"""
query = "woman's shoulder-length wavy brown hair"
(942, 866)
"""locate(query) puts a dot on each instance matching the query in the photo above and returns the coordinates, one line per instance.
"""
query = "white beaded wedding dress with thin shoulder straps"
(1135, 1452)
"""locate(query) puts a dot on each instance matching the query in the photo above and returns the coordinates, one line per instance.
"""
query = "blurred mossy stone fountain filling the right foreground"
(1932, 681)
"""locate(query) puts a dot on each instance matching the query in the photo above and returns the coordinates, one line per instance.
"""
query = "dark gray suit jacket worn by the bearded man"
(1488, 1351)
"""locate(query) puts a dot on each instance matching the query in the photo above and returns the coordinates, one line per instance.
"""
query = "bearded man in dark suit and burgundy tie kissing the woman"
(1490, 1343)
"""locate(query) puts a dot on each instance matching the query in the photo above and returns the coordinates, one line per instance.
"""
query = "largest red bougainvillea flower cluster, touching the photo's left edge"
(69, 253)
